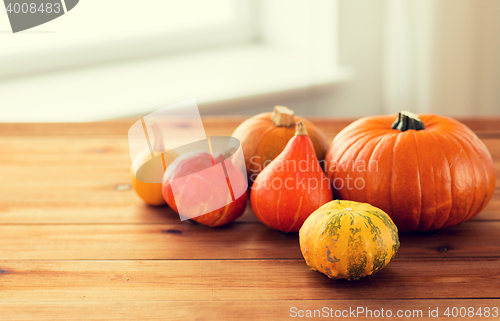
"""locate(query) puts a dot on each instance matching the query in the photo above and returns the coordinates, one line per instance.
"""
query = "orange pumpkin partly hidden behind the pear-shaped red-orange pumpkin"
(264, 136)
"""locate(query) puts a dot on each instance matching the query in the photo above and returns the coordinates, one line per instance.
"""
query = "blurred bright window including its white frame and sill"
(128, 61)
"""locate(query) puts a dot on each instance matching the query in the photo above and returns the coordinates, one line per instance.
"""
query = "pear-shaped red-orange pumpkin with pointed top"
(291, 187)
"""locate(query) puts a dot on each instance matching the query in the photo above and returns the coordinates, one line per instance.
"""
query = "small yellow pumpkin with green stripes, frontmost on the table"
(348, 244)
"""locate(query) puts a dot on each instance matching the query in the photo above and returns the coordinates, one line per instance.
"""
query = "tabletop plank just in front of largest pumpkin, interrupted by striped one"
(237, 241)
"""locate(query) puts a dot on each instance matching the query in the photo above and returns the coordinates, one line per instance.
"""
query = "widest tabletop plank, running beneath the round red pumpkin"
(85, 180)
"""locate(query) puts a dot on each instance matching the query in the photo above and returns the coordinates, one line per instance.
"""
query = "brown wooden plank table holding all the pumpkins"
(77, 243)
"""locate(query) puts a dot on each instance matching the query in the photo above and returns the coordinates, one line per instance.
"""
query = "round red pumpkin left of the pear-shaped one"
(195, 198)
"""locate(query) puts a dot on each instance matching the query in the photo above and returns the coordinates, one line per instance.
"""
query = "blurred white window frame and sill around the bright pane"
(280, 53)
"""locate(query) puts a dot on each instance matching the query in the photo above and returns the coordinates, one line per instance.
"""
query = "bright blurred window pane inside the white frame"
(116, 30)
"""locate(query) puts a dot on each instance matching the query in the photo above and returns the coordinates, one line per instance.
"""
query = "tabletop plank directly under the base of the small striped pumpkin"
(214, 280)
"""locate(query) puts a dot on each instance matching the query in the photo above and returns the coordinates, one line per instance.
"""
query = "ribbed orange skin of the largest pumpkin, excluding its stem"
(425, 180)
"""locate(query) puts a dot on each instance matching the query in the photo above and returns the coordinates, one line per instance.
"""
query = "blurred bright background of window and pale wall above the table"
(111, 58)
